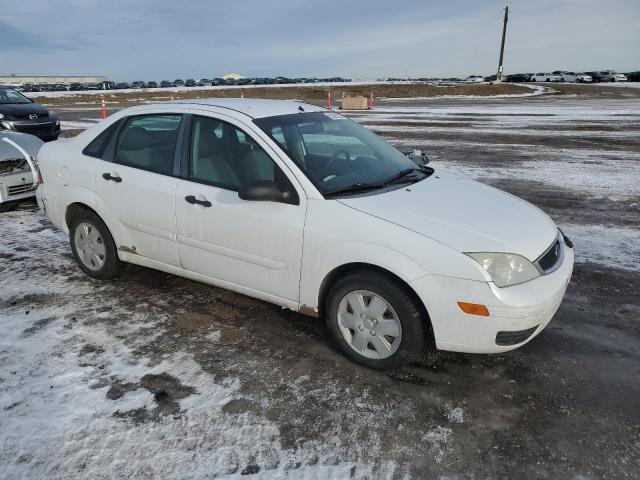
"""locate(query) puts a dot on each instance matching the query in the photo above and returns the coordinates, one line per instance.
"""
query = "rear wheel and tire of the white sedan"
(104, 246)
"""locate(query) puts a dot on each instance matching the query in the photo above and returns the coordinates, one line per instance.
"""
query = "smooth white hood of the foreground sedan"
(463, 214)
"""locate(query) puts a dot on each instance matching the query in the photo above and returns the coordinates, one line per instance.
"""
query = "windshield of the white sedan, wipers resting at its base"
(337, 153)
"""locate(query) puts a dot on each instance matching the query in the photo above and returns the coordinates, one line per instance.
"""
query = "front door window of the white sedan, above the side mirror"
(225, 156)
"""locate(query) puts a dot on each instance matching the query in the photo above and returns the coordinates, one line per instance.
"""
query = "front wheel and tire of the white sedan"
(399, 346)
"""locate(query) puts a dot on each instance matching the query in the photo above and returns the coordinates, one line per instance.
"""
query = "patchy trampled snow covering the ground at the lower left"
(60, 416)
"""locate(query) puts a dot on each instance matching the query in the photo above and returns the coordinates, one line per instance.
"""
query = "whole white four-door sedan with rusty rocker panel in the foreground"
(304, 208)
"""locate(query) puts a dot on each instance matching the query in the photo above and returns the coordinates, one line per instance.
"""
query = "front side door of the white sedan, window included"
(251, 246)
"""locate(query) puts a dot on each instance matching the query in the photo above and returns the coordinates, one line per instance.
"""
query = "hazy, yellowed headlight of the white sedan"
(506, 269)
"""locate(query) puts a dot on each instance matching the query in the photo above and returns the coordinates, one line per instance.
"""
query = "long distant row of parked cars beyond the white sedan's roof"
(190, 82)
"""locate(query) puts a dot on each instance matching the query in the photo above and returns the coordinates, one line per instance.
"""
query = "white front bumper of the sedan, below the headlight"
(516, 314)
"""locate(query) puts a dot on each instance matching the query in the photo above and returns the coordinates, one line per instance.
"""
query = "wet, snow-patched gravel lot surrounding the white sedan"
(155, 376)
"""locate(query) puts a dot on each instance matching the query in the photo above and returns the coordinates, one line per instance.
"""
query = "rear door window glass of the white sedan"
(148, 142)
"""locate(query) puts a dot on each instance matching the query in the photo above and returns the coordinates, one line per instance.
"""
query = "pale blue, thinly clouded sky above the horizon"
(168, 39)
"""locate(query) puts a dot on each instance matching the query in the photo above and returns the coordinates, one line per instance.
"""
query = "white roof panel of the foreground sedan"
(255, 107)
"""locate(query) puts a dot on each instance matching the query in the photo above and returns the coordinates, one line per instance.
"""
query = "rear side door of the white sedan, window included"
(138, 186)
